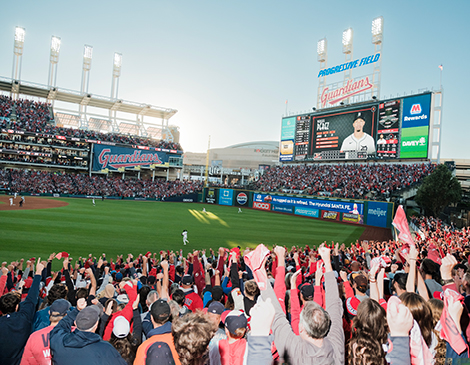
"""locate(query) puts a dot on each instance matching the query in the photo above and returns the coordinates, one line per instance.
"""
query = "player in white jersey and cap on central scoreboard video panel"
(347, 134)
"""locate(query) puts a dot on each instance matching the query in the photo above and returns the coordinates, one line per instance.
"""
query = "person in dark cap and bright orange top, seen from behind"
(161, 334)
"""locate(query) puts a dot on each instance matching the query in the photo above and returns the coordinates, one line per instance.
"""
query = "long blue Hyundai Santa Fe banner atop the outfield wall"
(333, 205)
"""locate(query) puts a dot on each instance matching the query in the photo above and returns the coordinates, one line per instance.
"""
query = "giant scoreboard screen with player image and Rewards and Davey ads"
(391, 129)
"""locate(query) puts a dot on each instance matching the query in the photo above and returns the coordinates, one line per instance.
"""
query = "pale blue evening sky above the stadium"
(228, 67)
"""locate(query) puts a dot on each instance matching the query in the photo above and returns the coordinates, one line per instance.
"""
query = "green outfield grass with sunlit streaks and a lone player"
(121, 227)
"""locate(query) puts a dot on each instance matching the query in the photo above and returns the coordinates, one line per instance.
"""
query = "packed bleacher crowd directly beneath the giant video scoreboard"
(346, 181)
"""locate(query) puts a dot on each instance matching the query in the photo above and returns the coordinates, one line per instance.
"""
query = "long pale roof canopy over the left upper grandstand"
(76, 97)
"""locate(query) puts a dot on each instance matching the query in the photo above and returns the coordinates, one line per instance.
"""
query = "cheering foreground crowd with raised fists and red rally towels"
(367, 303)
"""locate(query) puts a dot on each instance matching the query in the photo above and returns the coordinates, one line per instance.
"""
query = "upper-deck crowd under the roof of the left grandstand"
(33, 116)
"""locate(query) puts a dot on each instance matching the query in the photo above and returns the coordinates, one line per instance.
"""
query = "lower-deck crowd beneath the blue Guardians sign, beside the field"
(44, 182)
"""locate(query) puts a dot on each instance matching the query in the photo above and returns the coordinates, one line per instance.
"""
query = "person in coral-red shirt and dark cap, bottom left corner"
(37, 351)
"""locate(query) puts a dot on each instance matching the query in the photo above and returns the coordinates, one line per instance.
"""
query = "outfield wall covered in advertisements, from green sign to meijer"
(365, 212)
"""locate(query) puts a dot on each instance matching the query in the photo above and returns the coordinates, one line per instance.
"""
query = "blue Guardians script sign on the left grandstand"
(115, 158)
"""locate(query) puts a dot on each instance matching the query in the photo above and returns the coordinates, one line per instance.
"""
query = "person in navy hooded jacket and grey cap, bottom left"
(83, 344)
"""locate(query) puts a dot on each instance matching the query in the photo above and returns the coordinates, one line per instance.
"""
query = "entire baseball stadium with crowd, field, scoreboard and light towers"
(319, 243)
